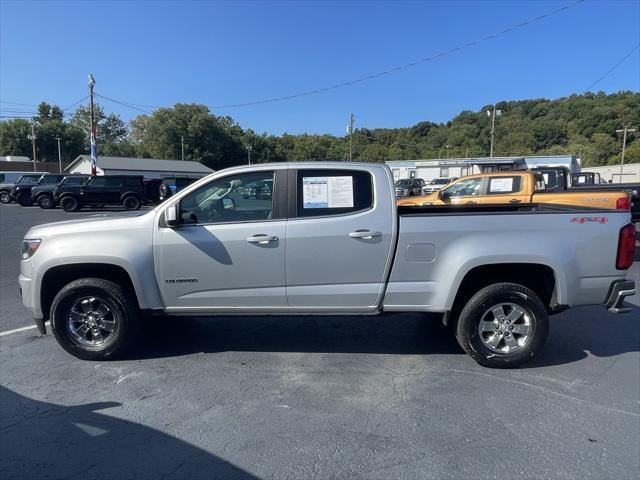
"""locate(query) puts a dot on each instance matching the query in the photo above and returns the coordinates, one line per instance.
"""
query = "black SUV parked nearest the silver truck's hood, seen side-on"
(125, 190)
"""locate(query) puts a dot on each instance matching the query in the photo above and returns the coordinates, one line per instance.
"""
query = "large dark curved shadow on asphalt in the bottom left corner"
(45, 440)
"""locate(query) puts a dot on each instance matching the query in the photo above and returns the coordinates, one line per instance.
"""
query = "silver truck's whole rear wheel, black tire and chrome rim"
(503, 325)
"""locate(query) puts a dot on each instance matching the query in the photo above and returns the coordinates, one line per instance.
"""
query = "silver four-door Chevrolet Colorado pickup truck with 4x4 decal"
(327, 238)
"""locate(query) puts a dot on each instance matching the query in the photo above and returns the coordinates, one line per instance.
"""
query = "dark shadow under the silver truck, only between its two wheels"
(388, 334)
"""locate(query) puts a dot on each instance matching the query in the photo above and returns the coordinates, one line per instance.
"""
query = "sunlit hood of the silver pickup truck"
(101, 222)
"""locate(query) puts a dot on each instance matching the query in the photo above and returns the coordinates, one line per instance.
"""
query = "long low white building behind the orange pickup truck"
(459, 167)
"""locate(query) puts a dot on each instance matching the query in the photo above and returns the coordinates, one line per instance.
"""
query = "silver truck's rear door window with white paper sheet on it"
(333, 192)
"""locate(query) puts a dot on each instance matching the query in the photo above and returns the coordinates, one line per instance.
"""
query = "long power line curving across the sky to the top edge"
(407, 65)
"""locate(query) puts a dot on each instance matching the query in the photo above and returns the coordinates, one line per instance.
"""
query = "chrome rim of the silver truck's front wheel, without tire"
(91, 321)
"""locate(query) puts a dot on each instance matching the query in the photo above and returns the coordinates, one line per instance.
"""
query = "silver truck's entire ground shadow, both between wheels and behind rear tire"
(572, 334)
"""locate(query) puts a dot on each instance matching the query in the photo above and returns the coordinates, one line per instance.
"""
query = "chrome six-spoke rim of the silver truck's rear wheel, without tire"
(505, 327)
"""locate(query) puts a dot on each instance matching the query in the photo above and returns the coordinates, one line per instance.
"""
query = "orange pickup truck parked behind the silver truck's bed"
(515, 187)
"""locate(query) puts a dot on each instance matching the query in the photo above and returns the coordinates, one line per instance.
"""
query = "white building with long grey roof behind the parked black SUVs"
(149, 168)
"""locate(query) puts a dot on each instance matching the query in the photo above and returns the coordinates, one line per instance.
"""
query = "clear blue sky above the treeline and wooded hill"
(218, 53)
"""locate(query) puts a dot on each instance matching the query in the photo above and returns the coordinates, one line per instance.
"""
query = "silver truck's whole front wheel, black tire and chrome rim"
(95, 319)
